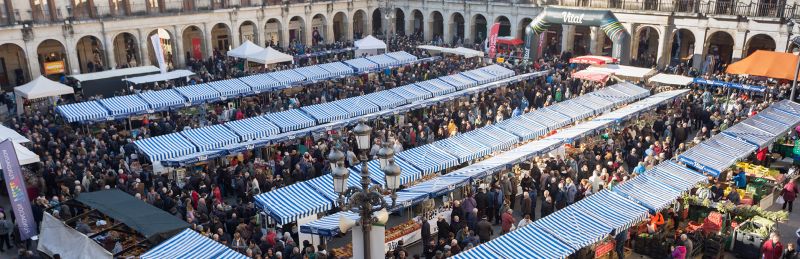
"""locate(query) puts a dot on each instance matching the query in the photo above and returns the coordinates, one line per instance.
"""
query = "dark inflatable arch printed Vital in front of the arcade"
(601, 18)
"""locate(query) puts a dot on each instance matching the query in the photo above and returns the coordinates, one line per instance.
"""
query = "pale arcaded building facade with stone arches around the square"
(78, 36)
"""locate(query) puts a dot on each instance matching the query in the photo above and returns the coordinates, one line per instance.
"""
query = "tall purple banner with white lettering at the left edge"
(17, 192)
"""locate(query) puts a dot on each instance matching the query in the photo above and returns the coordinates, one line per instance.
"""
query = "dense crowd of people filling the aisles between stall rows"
(217, 198)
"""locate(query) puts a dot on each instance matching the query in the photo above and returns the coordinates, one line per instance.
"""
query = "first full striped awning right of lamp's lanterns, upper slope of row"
(428, 158)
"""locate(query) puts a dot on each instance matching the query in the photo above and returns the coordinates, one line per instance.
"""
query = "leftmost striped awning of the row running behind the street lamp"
(303, 198)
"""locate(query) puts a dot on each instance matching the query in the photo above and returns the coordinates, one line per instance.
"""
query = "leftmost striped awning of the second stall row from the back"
(165, 147)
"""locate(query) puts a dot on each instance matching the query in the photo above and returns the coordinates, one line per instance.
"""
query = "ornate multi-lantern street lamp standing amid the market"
(366, 201)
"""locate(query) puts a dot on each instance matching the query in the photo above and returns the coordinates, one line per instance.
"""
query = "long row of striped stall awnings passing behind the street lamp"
(420, 164)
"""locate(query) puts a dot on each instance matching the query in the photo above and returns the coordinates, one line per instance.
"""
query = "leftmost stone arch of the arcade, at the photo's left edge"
(15, 66)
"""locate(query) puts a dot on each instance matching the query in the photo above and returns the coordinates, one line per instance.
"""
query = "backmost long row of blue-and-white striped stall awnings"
(121, 107)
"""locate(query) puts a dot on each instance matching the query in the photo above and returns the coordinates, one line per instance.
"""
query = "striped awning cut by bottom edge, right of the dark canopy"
(190, 244)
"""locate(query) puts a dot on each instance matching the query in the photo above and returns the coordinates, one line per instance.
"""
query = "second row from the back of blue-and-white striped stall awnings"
(199, 144)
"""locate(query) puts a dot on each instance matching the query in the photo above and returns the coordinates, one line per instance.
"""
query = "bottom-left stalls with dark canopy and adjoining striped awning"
(121, 226)
